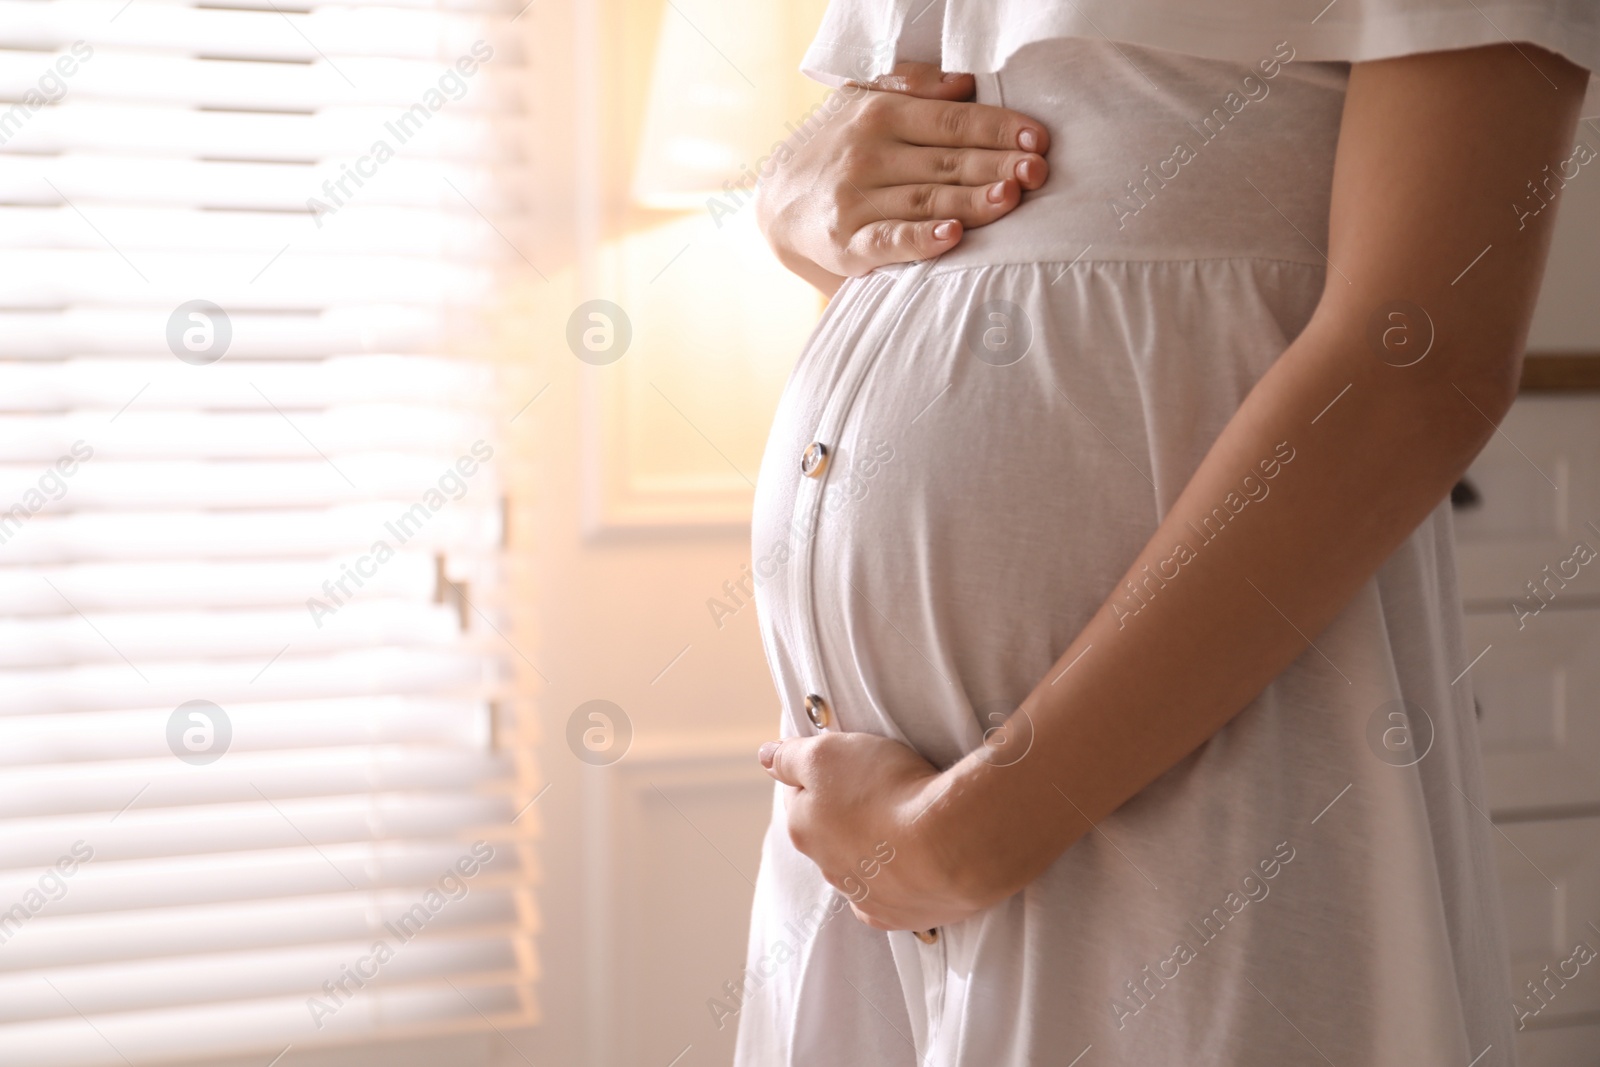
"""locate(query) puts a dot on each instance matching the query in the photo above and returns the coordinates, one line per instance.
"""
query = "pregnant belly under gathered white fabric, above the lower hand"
(1015, 438)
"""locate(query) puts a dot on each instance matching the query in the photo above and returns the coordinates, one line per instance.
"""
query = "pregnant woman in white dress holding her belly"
(1113, 604)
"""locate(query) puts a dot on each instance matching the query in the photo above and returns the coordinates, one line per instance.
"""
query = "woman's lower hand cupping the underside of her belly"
(855, 804)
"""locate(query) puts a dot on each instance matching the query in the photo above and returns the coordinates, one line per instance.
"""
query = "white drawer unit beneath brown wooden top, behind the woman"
(1529, 548)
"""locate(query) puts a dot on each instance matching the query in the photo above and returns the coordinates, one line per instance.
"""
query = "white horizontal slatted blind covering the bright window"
(254, 666)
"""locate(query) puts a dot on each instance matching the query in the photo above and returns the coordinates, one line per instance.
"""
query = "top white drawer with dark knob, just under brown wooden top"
(1538, 492)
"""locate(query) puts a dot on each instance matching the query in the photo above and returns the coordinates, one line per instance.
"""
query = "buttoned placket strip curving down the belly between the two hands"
(809, 494)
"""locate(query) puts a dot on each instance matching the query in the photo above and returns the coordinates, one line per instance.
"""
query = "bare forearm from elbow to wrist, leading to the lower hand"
(1218, 604)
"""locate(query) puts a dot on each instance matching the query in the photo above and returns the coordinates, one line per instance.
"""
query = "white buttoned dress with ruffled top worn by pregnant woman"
(1007, 428)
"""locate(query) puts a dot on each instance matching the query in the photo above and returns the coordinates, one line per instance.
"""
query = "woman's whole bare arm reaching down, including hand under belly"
(1434, 153)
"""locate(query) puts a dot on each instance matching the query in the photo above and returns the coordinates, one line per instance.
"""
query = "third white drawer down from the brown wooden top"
(1551, 882)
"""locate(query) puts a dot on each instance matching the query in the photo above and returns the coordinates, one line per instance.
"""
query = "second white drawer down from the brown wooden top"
(1538, 693)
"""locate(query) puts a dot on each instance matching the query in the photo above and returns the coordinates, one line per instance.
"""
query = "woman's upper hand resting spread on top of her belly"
(897, 174)
